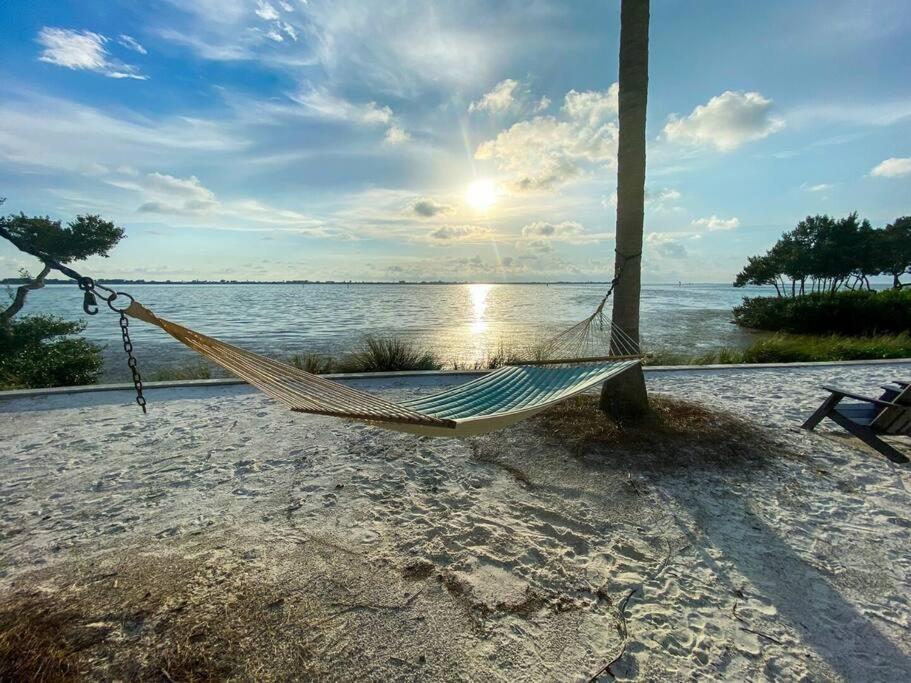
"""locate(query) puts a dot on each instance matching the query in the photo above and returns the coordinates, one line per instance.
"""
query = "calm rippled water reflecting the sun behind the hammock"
(459, 322)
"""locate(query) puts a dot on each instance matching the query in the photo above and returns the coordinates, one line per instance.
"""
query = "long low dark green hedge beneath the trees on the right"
(859, 312)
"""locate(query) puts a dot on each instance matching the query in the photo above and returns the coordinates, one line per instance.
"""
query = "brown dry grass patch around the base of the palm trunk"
(672, 429)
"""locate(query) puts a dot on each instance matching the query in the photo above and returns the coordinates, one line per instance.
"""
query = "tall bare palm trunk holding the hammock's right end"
(626, 395)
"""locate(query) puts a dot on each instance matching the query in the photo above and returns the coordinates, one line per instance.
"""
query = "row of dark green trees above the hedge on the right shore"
(824, 254)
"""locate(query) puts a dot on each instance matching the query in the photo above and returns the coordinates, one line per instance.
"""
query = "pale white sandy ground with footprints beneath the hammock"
(382, 555)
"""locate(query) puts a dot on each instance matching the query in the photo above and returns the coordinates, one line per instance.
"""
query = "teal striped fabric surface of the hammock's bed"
(512, 388)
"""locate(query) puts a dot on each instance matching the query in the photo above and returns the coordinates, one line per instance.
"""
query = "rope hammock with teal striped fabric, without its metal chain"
(496, 400)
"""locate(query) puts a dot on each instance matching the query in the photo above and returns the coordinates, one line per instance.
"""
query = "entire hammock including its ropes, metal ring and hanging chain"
(554, 370)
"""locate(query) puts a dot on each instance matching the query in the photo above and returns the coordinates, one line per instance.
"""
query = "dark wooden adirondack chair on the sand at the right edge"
(867, 417)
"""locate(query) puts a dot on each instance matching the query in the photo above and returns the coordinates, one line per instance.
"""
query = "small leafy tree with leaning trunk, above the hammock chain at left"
(41, 236)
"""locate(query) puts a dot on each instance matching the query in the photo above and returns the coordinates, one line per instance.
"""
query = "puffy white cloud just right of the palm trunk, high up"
(726, 122)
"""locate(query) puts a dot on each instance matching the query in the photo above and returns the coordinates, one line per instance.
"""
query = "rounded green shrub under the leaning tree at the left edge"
(39, 351)
